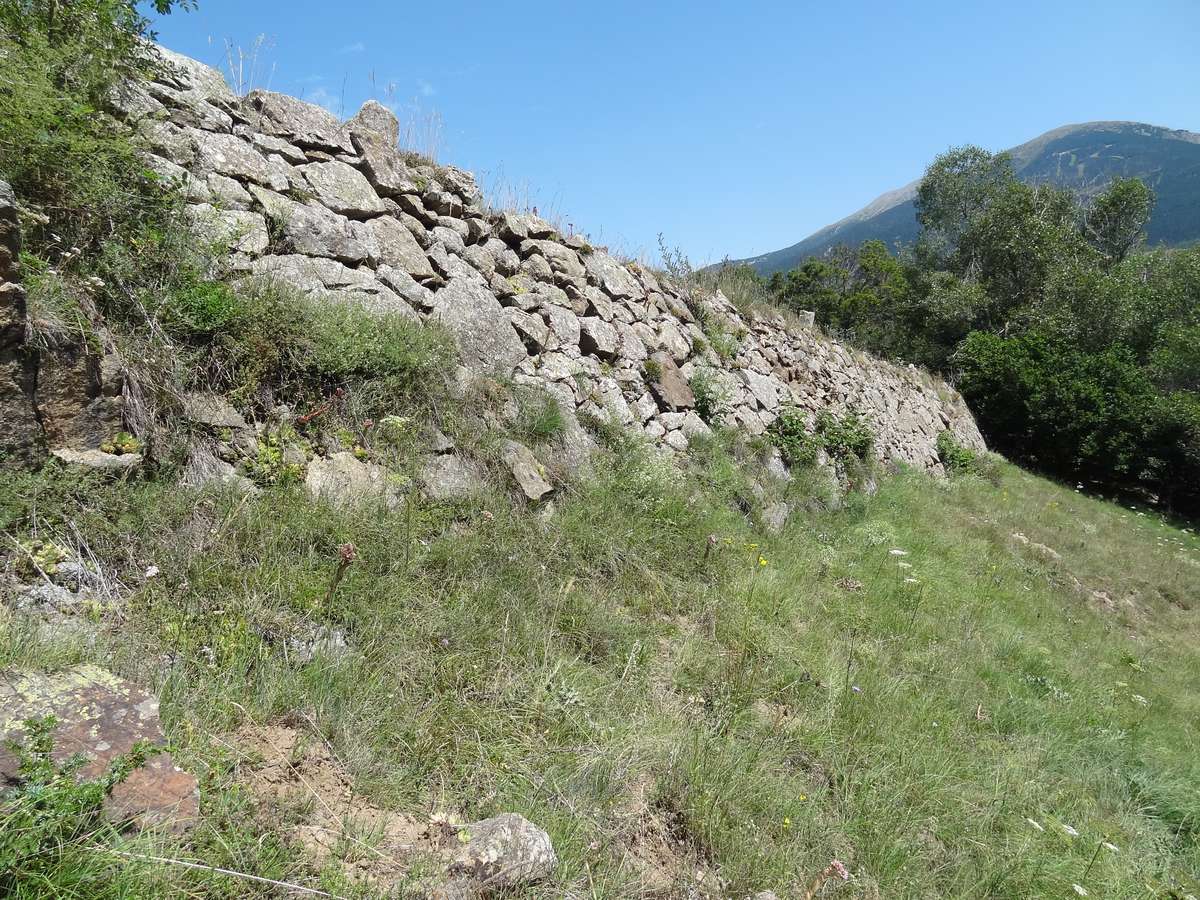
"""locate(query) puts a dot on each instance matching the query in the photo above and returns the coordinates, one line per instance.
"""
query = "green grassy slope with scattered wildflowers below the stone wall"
(748, 713)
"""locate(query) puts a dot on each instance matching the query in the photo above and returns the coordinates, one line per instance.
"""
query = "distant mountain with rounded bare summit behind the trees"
(1085, 158)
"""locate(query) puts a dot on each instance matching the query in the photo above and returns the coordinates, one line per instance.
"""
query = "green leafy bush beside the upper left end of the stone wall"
(71, 167)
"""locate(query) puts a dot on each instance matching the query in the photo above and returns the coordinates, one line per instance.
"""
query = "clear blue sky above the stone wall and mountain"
(731, 128)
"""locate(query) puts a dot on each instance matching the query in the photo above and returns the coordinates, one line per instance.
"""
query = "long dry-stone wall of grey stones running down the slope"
(335, 209)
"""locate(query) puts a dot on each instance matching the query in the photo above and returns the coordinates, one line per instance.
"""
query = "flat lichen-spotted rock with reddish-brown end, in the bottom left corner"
(101, 718)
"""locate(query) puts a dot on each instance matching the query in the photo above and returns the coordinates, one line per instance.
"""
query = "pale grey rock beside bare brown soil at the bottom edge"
(508, 851)
